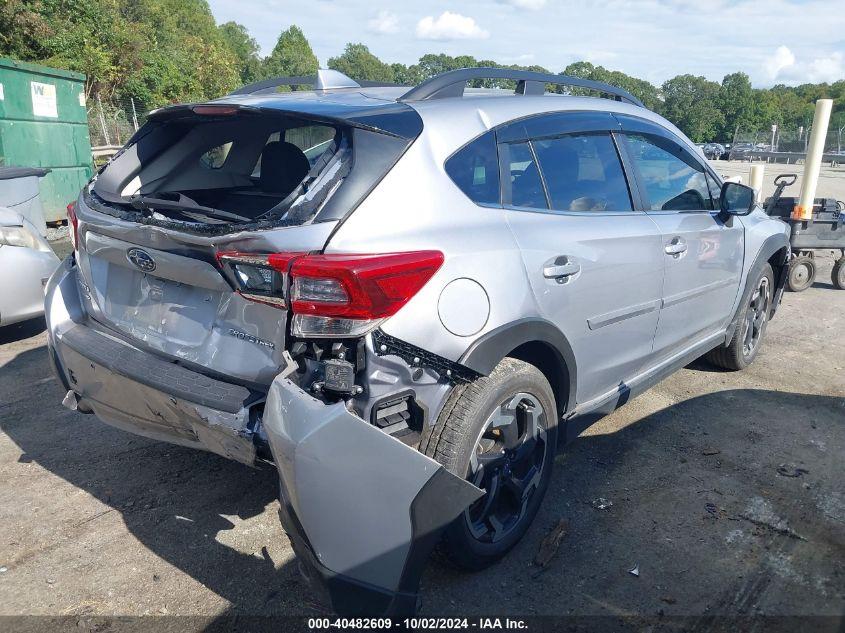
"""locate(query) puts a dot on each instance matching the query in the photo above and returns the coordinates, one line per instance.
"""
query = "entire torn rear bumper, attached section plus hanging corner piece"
(362, 509)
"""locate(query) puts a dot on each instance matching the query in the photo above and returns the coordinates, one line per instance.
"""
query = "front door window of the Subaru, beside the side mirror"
(673, 179)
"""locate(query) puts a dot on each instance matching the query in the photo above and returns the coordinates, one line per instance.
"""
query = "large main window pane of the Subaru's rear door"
(583, 173)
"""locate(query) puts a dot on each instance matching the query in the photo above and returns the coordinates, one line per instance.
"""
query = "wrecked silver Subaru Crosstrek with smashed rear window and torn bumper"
(403, 299)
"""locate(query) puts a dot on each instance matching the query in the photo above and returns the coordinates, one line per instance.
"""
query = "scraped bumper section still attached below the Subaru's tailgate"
(137, 391)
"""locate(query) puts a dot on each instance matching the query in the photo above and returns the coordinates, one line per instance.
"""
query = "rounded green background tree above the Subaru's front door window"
(692, 103)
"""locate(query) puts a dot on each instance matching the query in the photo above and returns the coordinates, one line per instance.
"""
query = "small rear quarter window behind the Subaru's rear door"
(475, 170)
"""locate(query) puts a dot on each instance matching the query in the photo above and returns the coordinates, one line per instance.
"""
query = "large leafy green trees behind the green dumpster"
(156, 51)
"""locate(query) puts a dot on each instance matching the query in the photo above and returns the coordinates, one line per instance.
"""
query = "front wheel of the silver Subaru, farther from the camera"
(748, 337)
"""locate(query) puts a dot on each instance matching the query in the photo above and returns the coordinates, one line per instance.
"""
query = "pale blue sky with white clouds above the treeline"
(774, 41)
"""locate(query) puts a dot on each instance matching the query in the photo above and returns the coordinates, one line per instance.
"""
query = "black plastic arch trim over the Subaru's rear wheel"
(488, 350)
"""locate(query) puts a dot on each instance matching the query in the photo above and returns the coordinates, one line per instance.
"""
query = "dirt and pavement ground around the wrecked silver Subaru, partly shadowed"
(724, 490)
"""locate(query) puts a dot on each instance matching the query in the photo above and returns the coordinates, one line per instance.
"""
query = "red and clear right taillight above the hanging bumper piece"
(334, 295)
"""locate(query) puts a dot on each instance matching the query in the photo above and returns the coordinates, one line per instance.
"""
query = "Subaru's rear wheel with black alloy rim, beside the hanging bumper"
(500, 433)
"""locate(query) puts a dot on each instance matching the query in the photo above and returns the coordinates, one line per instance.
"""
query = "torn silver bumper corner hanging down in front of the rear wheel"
(362, 509)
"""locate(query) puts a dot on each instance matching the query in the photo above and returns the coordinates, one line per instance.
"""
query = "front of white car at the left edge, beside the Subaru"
(26, 263)
